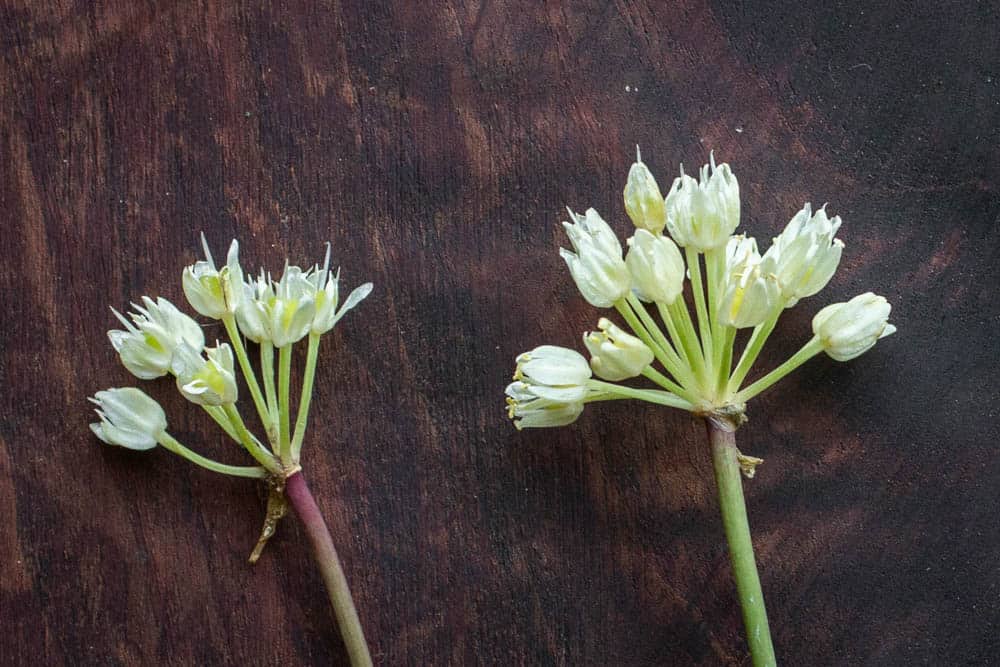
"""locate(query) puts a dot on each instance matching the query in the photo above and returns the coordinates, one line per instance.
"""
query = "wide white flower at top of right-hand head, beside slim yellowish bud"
(702, 215)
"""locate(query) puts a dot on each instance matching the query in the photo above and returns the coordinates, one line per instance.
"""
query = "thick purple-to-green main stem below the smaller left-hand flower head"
(305, 506)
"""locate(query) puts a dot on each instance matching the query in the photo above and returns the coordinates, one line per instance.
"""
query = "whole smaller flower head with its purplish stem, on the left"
(159, 340)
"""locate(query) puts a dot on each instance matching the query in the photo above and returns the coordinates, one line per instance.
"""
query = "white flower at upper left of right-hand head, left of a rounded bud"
(597, 266)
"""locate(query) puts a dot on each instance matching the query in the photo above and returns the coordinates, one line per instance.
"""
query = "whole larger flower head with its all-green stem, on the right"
(731, 286)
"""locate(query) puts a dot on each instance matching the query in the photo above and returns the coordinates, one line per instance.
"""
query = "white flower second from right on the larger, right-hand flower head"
(806, 254)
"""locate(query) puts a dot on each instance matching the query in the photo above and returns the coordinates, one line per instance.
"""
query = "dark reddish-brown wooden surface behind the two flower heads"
(435, 145)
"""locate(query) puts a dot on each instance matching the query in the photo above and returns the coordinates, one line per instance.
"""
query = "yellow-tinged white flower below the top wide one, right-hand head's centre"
(750, 292)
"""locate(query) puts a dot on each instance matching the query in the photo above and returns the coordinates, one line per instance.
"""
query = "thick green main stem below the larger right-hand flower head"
(734, 520)
